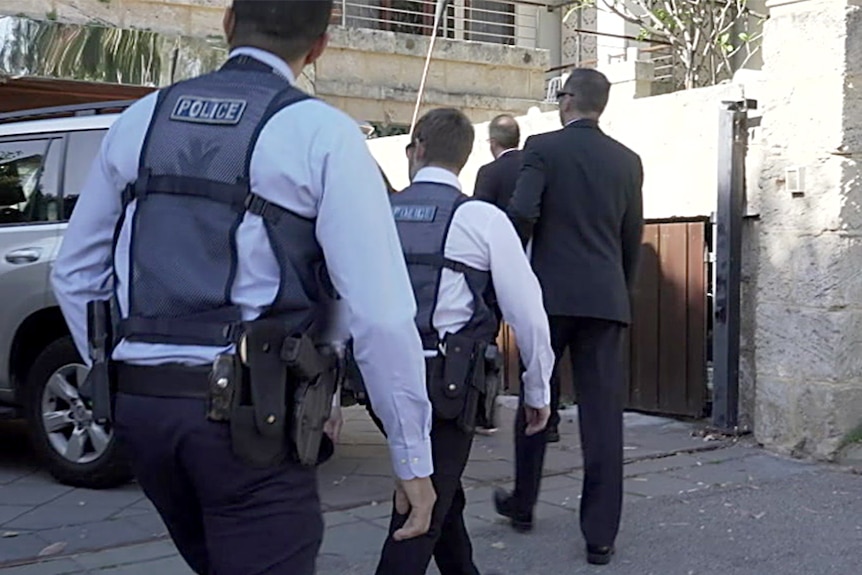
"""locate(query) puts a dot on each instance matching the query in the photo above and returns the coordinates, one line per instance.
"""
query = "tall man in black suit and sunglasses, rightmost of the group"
(579, 199)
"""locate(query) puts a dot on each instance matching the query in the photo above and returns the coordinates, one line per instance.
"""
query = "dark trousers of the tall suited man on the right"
(597, 367)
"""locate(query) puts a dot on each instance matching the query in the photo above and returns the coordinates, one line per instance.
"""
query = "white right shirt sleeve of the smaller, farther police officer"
(520, 299)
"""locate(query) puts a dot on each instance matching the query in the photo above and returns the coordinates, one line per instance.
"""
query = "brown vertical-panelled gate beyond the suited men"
(667, 341)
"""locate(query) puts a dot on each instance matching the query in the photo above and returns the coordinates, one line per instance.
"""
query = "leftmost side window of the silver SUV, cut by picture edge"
(28, 181)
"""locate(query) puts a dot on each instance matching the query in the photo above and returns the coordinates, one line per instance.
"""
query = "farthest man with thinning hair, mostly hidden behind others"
(495, 182)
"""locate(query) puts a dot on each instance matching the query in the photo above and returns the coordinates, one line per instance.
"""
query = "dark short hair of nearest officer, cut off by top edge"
(291, 25)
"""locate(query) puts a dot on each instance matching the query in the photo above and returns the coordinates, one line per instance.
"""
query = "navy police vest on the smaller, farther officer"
(423, 213)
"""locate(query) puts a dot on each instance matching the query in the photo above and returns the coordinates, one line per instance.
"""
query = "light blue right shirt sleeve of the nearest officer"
(366, 264)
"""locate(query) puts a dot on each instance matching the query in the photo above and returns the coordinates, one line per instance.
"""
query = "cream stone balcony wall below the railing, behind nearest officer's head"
(372, 75)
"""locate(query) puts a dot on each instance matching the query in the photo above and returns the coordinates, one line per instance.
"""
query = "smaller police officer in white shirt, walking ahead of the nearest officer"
(455, 248)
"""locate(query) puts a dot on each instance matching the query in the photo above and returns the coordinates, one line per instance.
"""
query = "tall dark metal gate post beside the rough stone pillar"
(732, 146)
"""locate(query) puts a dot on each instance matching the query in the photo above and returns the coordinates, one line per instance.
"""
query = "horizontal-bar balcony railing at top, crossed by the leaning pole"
(506, 22)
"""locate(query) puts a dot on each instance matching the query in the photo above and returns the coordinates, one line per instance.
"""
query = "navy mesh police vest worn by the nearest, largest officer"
(192, 192)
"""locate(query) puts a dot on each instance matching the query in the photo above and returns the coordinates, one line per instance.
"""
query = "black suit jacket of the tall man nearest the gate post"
(579, 197)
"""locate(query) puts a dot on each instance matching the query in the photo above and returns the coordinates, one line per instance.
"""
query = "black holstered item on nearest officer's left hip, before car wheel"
(99, 386)
